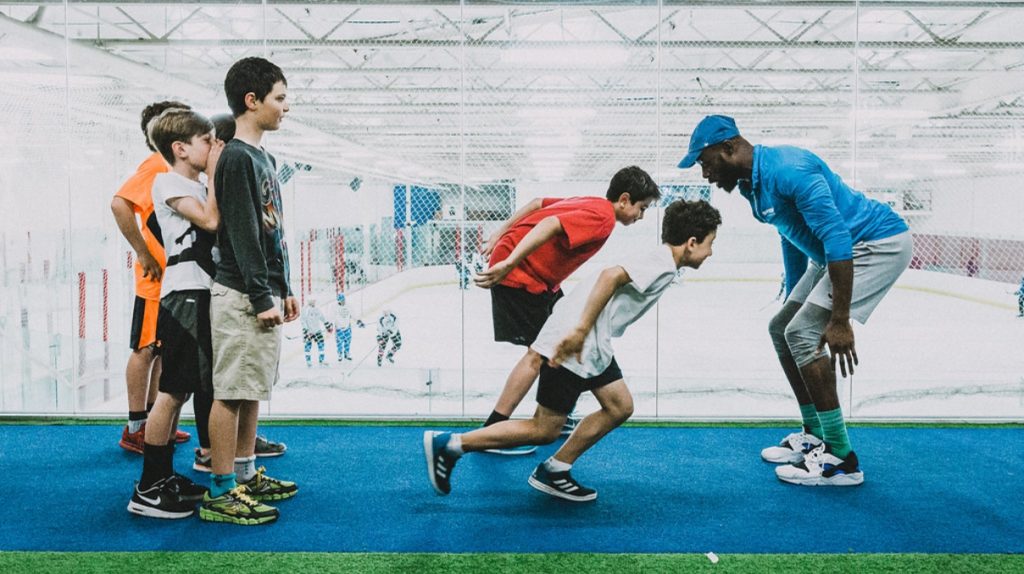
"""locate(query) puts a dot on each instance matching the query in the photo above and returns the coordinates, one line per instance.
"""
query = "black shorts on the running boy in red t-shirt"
(519, 315)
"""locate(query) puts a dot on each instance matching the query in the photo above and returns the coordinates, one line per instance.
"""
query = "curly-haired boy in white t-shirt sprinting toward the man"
(576, 342)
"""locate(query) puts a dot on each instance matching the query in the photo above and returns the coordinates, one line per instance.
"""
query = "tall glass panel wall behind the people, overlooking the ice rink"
(417, 129)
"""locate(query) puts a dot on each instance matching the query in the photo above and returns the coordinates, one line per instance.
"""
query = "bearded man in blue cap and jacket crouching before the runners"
(858, 249)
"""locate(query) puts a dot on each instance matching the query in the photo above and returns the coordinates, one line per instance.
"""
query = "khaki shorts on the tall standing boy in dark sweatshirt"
(246, 355)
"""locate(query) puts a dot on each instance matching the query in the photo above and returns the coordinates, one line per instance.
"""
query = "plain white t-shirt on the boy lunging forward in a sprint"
(651, 275)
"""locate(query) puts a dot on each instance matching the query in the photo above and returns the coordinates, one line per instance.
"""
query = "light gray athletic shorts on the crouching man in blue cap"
(877, 266)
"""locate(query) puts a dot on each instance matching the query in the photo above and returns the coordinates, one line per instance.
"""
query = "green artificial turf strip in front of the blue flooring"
(204, 563)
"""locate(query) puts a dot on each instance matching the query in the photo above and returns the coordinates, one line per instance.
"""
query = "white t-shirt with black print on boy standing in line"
(179, 233)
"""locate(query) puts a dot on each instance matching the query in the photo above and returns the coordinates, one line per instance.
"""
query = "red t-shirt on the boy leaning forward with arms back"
(587, 223)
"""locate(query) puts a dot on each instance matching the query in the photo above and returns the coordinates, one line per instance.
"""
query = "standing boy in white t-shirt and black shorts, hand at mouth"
(188, 218)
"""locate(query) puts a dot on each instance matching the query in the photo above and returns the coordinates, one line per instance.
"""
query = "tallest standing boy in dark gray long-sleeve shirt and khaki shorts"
(250, 300)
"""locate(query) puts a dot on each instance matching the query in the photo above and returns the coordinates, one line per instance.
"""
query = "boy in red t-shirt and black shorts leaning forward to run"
(534, 252)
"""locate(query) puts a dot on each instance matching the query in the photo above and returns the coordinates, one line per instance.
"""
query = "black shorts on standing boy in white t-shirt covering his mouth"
(184, 330)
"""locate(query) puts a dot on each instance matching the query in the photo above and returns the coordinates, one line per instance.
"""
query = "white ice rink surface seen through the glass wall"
(938, 347)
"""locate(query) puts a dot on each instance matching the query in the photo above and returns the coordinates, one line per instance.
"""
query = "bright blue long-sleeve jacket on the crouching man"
(818, 215)
